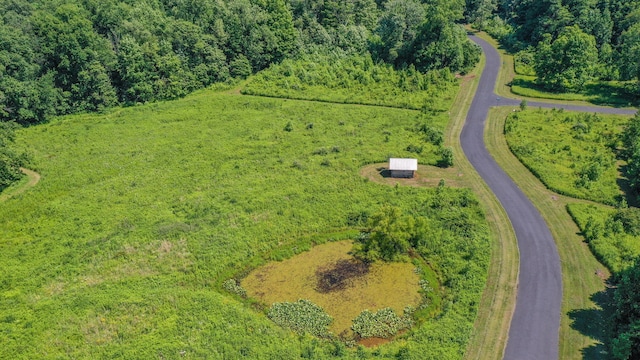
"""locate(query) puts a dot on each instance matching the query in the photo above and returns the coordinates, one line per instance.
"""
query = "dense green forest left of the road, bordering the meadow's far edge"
(66, 56)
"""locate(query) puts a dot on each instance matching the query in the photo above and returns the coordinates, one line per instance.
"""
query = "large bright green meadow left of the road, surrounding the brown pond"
(118, 250)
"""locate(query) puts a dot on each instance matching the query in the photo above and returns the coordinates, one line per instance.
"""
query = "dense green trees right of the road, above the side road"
(567, 42)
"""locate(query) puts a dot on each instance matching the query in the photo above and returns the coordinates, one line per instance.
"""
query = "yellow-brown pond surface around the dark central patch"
(393, 285)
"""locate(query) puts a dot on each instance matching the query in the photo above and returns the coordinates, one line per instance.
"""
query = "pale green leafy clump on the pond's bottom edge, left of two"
(302, 317)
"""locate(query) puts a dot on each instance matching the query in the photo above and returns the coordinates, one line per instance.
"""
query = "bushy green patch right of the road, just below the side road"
(571, 153)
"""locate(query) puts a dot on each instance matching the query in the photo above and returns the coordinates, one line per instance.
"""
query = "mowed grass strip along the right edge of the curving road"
(582, 275)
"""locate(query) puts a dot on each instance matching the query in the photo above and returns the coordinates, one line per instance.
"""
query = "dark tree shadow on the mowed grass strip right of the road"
(595, 323)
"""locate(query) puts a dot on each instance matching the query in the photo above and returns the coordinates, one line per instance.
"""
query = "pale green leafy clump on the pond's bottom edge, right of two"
(384, 324)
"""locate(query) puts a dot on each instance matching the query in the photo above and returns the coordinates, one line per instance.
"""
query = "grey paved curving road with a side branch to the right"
(536, 320)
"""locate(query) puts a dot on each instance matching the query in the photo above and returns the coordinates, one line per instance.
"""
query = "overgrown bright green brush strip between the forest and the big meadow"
(355, 79)
